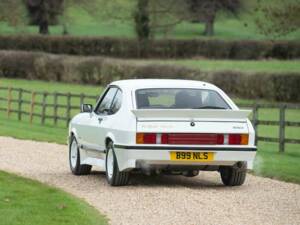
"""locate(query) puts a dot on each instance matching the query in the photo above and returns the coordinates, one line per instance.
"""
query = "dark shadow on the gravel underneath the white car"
(141, 180)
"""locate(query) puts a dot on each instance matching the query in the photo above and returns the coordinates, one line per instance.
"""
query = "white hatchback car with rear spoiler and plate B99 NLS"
(162, 126)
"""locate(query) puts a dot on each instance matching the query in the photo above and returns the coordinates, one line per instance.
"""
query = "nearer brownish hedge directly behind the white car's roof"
(101, 71)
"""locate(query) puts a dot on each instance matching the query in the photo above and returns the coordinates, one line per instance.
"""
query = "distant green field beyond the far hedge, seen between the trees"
(82, 24)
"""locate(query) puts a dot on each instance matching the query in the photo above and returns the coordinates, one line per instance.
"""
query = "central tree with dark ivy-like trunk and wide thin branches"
(146, 16)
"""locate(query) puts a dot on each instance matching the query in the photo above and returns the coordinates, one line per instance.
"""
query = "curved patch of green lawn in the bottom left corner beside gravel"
(26, 202)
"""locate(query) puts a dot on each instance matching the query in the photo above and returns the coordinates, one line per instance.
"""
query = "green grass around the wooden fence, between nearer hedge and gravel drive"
(269, 162)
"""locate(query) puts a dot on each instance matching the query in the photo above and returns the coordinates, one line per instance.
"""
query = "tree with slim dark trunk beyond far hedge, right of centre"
(206, 11)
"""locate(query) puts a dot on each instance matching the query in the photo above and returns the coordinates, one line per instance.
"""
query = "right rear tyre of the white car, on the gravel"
(234, 175)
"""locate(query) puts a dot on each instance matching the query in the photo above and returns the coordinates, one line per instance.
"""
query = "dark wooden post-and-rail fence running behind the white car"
(16, 95)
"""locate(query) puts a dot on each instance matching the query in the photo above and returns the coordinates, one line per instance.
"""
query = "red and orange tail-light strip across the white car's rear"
(192, 139)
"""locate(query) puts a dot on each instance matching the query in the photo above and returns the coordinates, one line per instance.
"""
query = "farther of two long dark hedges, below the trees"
(131, 48)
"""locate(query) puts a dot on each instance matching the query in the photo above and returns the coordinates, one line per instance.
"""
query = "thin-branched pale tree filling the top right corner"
(278, 18)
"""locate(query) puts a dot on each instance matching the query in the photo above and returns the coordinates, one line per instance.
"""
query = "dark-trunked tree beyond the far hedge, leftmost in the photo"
(44, 12)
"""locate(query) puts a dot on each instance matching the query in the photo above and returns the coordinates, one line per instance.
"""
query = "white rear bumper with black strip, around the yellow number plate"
(130, 157)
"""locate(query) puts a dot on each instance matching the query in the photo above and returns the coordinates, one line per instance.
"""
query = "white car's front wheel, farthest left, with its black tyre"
(74, 159)
